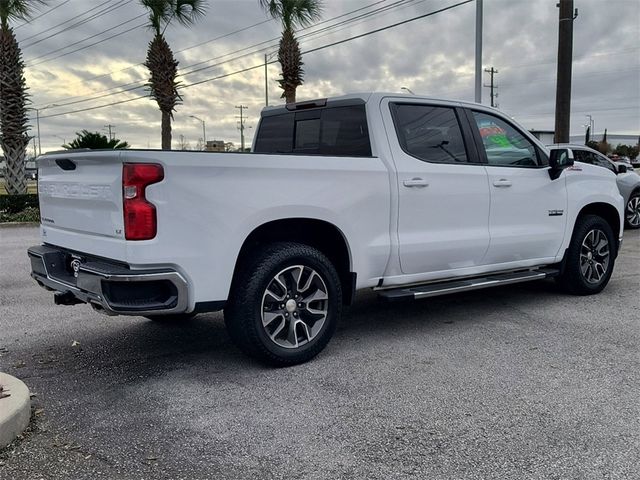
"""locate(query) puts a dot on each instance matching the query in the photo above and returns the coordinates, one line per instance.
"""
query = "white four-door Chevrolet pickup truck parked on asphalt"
(413, 197)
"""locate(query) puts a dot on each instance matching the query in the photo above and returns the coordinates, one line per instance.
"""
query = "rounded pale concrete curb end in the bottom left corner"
(15, 410)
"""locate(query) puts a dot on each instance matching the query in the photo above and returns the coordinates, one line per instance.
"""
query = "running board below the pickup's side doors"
(435, 289)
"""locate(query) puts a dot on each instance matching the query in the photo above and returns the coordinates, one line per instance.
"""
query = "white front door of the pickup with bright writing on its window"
(527, 219)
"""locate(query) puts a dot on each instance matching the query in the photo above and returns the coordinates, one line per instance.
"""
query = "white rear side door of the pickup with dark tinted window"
(442, 188)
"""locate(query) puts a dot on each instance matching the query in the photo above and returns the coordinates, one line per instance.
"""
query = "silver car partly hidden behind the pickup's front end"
(628, 180)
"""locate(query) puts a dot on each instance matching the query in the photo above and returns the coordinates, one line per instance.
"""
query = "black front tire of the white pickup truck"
(573, 279)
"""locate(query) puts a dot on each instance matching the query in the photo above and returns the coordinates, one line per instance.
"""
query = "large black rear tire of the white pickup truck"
(249, 297)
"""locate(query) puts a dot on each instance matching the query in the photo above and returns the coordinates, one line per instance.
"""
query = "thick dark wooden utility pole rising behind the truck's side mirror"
(565, 60)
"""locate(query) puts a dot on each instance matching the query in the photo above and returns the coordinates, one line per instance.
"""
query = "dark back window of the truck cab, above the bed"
(338, 131)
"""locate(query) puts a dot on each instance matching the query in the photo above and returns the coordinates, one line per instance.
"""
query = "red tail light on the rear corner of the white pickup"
(140, 219)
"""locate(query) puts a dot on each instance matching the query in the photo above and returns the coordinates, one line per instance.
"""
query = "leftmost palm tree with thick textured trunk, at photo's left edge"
(13, 95)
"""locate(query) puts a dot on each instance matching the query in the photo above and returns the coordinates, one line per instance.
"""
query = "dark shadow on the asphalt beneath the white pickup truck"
(133, 348)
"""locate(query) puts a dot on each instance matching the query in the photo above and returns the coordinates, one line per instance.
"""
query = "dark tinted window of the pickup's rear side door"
(429, 133)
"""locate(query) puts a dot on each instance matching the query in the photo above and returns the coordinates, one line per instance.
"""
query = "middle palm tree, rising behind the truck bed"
(162, 65)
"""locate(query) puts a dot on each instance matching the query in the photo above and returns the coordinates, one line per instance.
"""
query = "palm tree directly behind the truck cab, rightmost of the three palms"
(292, 14)
